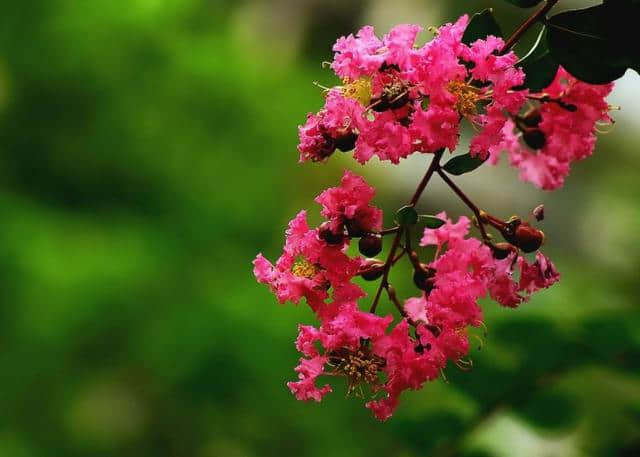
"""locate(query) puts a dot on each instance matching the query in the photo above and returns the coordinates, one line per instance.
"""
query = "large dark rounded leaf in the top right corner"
(585, 42)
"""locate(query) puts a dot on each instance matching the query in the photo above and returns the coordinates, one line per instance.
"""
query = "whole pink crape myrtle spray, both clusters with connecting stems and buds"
(397, 98)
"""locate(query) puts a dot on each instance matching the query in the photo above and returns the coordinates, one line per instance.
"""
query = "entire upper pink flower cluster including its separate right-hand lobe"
(397, 99)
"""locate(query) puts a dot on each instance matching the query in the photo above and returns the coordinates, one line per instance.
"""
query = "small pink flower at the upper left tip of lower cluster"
(349, 204)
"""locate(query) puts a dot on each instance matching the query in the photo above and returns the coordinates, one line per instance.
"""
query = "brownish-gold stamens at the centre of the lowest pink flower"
(359, 367)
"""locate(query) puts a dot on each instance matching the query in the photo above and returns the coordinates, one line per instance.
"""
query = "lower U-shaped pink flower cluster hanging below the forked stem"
(378, 358)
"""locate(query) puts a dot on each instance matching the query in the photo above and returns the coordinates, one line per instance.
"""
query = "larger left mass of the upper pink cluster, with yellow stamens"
(412, 99)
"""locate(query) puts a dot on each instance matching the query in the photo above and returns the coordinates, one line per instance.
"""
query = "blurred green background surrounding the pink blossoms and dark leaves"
(148, 153)
